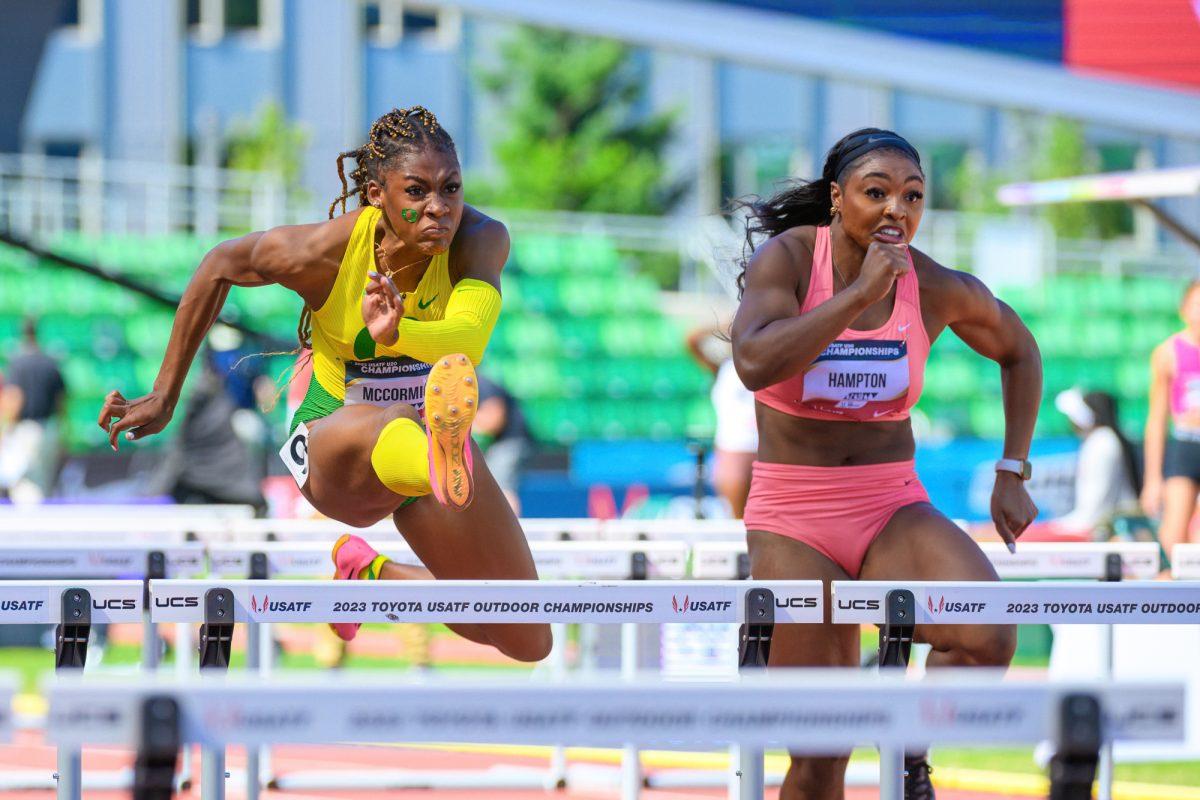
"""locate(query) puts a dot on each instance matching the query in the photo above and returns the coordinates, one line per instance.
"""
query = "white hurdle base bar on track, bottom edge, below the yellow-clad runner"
(497, 778)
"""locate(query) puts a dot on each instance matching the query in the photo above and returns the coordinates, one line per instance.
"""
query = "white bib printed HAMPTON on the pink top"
(853, 374)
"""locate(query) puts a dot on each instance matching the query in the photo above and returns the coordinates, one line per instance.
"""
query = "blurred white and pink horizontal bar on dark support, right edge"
(1139, 188)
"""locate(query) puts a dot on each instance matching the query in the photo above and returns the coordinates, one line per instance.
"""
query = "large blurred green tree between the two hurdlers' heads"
(575, 139)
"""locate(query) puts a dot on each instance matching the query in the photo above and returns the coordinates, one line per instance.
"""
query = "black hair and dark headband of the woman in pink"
(807, 203)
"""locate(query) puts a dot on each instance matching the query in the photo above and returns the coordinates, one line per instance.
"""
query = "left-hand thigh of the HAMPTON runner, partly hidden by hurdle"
(779, 558)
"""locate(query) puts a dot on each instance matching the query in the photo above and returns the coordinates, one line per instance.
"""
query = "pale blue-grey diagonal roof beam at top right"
(788, 43)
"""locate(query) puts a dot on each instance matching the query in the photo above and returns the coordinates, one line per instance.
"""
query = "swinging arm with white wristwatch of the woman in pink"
(994, 330)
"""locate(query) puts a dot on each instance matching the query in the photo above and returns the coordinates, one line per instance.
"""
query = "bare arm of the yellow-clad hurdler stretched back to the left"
(279, 256)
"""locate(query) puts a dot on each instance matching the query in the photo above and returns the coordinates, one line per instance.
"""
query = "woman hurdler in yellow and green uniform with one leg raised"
(401, 297)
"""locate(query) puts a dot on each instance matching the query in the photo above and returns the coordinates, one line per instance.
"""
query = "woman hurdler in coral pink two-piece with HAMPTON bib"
(835, 328)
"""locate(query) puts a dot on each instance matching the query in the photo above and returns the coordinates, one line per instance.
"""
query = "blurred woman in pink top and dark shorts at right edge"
(1173, 466)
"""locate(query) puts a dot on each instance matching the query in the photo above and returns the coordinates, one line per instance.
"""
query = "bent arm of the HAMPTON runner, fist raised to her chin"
(772, 341)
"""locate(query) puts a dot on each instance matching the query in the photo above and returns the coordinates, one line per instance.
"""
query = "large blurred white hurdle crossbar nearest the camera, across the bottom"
(815, 712)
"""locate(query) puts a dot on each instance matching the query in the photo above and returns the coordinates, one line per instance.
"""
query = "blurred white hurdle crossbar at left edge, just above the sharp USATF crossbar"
(64, 561)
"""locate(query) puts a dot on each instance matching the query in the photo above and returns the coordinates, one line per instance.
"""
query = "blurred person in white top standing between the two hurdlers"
(736, 442)
